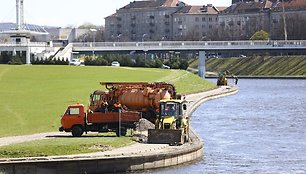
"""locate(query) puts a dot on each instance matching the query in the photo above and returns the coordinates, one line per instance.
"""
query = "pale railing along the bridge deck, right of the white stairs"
(194, 45)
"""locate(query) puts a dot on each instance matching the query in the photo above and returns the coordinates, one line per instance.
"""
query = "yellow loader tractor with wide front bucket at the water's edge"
(172, 125)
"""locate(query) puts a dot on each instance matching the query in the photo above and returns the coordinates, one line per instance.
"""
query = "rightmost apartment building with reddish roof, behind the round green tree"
(241, 20)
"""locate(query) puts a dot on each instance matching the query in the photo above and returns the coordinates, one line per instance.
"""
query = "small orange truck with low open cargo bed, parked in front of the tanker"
(77, 121)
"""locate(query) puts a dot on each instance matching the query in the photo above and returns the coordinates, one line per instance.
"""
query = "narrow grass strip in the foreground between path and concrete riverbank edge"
(65, 146)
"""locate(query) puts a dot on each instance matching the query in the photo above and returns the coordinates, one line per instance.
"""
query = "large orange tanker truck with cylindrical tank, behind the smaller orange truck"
(142, 97)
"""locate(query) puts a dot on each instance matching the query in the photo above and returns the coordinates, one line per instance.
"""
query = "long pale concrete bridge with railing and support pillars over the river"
(158, 46)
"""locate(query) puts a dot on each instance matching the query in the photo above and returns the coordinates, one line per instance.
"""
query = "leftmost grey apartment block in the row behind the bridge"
(142, 20)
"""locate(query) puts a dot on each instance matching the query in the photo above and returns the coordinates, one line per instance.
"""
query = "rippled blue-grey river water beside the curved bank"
(261, 129)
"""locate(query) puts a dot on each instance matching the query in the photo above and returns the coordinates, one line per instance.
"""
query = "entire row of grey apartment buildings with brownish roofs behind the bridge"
(174, 20)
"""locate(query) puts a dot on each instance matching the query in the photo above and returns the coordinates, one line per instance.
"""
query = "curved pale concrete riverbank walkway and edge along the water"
(139, 156)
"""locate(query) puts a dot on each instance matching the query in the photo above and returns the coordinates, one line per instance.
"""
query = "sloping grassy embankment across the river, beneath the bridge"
(258, 66)
